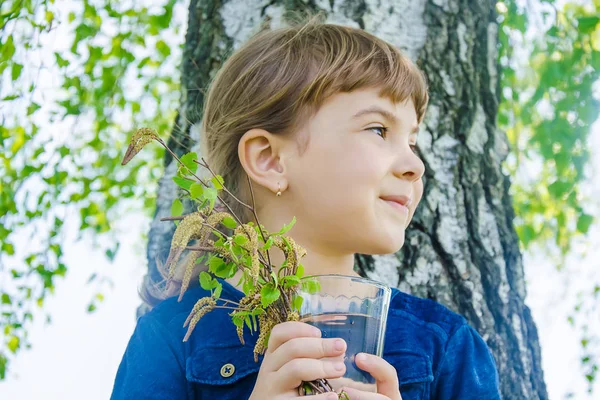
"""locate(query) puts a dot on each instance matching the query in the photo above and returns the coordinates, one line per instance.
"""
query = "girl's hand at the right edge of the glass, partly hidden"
(385, 375)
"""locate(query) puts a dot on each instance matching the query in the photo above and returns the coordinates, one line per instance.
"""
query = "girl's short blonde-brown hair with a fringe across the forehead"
(279, 78)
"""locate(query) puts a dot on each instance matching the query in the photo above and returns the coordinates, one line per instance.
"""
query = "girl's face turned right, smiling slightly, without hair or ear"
(360, 152)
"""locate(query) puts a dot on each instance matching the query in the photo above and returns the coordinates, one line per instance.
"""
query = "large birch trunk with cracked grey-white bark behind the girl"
(461, 248)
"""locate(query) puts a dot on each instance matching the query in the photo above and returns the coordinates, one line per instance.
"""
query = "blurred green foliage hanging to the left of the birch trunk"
(65, 113)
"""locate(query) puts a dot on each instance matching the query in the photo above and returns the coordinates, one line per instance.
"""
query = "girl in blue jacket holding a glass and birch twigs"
(324, 120)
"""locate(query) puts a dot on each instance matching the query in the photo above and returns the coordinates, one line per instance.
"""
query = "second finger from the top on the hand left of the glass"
(306, 348)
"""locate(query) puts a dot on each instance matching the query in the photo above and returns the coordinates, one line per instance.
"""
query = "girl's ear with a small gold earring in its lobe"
(259, 155)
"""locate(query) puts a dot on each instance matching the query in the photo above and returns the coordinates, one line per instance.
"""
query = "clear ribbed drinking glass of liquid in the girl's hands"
(348, 307)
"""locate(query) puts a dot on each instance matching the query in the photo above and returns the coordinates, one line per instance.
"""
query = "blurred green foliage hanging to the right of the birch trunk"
(550, 60)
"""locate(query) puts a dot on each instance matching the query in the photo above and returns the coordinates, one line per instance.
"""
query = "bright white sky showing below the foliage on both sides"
(78, 353)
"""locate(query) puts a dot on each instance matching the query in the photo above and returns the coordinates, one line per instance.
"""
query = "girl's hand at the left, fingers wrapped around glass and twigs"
(295, 353)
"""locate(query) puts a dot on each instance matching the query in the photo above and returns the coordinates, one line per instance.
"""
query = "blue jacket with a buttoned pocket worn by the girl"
(436, 353)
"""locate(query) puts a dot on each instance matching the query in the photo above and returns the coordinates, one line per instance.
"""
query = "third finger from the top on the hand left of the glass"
(297, 370)
